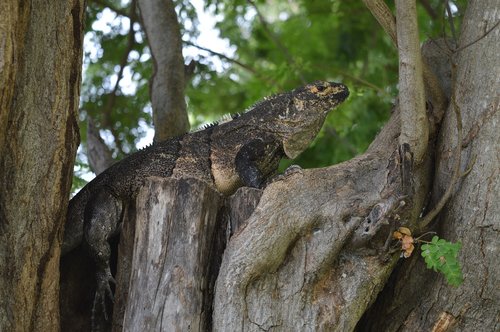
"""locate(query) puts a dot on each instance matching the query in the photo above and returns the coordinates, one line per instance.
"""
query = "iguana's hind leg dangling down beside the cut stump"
(102, 216)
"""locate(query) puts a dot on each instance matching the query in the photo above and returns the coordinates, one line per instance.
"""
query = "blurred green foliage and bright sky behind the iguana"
(299, 40)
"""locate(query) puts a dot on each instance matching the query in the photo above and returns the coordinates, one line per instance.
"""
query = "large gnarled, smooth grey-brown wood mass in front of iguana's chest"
(315, 266)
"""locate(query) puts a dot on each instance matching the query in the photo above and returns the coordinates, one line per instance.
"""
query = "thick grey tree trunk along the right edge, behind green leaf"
(472, 216)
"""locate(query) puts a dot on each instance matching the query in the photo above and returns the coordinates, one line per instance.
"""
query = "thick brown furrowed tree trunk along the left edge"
(40, 70)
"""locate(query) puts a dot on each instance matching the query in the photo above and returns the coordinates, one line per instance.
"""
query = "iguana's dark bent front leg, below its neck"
(257, 159)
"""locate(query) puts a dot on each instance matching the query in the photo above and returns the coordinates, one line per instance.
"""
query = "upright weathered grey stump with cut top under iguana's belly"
(180, 225)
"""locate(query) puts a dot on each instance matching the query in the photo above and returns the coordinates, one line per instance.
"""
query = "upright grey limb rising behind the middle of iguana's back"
(162, 29)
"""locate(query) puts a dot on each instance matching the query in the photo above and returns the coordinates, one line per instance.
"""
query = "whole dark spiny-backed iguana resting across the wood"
(244, 151)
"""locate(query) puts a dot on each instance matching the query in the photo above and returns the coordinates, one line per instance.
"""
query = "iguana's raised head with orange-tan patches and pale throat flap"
(300, 120)
